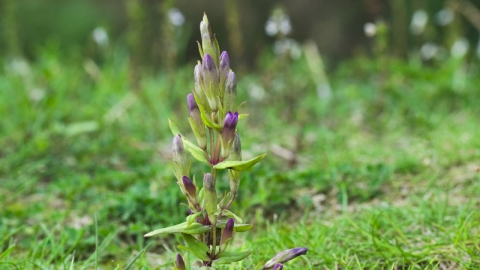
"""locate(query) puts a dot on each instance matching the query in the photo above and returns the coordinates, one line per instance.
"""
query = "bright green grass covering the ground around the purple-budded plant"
(382, 175)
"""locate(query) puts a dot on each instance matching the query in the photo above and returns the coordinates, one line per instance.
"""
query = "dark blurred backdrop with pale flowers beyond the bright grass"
(149, 29)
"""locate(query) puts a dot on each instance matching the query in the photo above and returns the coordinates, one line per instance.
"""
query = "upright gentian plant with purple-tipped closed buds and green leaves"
(209, 228)
